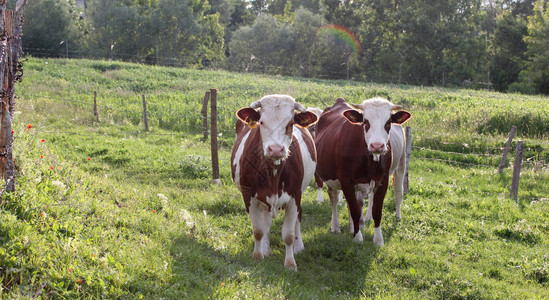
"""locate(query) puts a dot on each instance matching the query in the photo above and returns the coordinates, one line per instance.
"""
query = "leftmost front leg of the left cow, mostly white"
(261, 226)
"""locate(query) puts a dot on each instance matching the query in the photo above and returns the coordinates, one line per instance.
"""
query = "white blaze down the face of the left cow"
(276, 112)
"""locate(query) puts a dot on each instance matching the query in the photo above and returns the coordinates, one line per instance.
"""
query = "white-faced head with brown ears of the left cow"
(275, 116)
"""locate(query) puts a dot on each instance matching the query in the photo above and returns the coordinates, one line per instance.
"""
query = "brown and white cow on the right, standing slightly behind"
(357, 151)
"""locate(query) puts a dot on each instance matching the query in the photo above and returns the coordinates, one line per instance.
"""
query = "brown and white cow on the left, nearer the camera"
(273, 162)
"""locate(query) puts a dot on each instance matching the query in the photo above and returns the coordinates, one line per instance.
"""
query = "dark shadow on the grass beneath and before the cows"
(332, 265)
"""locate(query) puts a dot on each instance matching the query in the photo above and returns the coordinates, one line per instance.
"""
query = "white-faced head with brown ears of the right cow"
(376, 116)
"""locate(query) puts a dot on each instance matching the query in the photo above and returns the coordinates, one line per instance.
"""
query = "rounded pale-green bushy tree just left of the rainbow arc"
(287, 46)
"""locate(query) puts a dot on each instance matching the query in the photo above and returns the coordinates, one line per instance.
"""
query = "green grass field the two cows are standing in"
(104, 209)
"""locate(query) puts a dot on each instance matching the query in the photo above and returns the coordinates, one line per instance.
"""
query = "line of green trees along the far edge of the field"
(496, 44)
